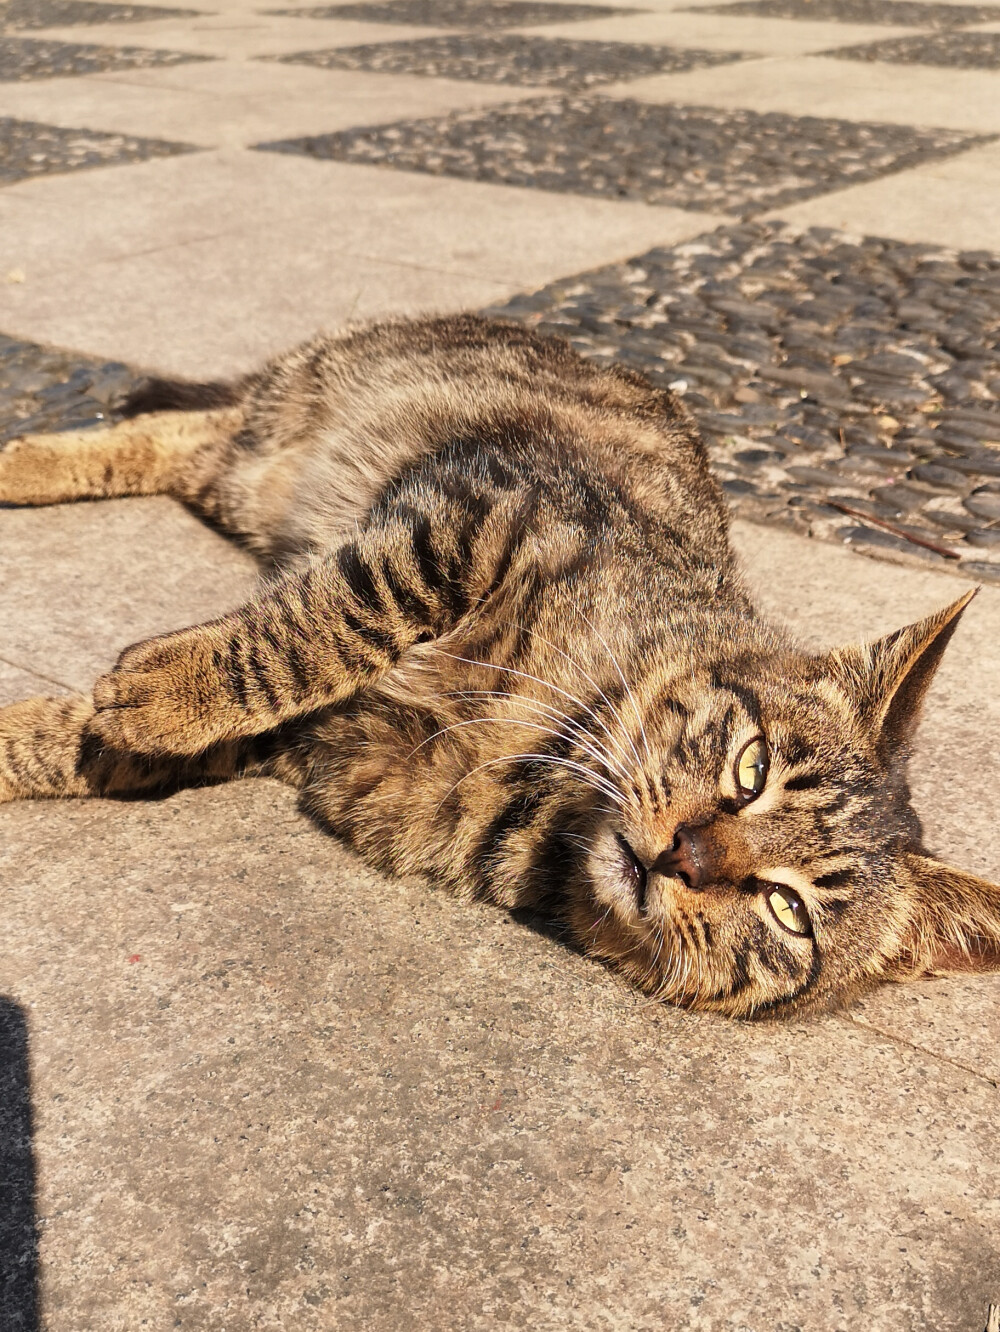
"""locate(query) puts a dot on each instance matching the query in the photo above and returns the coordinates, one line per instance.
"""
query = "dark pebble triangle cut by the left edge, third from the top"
(33, 150)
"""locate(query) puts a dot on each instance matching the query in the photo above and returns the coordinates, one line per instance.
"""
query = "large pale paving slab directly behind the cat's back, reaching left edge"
(278, 247)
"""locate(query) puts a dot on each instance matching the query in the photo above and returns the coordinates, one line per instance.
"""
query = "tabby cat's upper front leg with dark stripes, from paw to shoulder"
(316, 637)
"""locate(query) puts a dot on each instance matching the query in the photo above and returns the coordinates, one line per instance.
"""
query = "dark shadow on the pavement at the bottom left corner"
(19, 1231)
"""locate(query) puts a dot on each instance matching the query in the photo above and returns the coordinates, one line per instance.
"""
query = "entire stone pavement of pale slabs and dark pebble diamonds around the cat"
(248, 1084)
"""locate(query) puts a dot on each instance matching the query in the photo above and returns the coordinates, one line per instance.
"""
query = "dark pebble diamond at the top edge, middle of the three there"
(460, 14)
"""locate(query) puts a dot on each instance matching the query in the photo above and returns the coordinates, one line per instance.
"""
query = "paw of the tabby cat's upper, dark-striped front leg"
(162, 699)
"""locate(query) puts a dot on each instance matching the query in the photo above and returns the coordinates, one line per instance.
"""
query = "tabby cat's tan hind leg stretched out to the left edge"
(159, 454)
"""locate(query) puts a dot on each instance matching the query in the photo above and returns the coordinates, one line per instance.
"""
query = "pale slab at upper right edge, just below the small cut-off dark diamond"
(818, 86)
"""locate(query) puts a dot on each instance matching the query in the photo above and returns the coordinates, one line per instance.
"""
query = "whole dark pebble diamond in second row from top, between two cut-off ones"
(515, 59)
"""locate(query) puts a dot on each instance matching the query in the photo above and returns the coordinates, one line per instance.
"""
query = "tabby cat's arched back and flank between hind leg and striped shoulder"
(347, 418)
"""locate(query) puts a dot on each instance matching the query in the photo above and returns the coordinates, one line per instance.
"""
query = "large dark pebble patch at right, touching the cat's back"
(769, 334)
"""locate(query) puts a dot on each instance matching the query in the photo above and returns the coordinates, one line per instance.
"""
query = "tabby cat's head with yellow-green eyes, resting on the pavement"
(764, 856)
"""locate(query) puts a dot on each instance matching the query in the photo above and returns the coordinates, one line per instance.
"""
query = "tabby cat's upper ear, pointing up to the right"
(887, 680)
